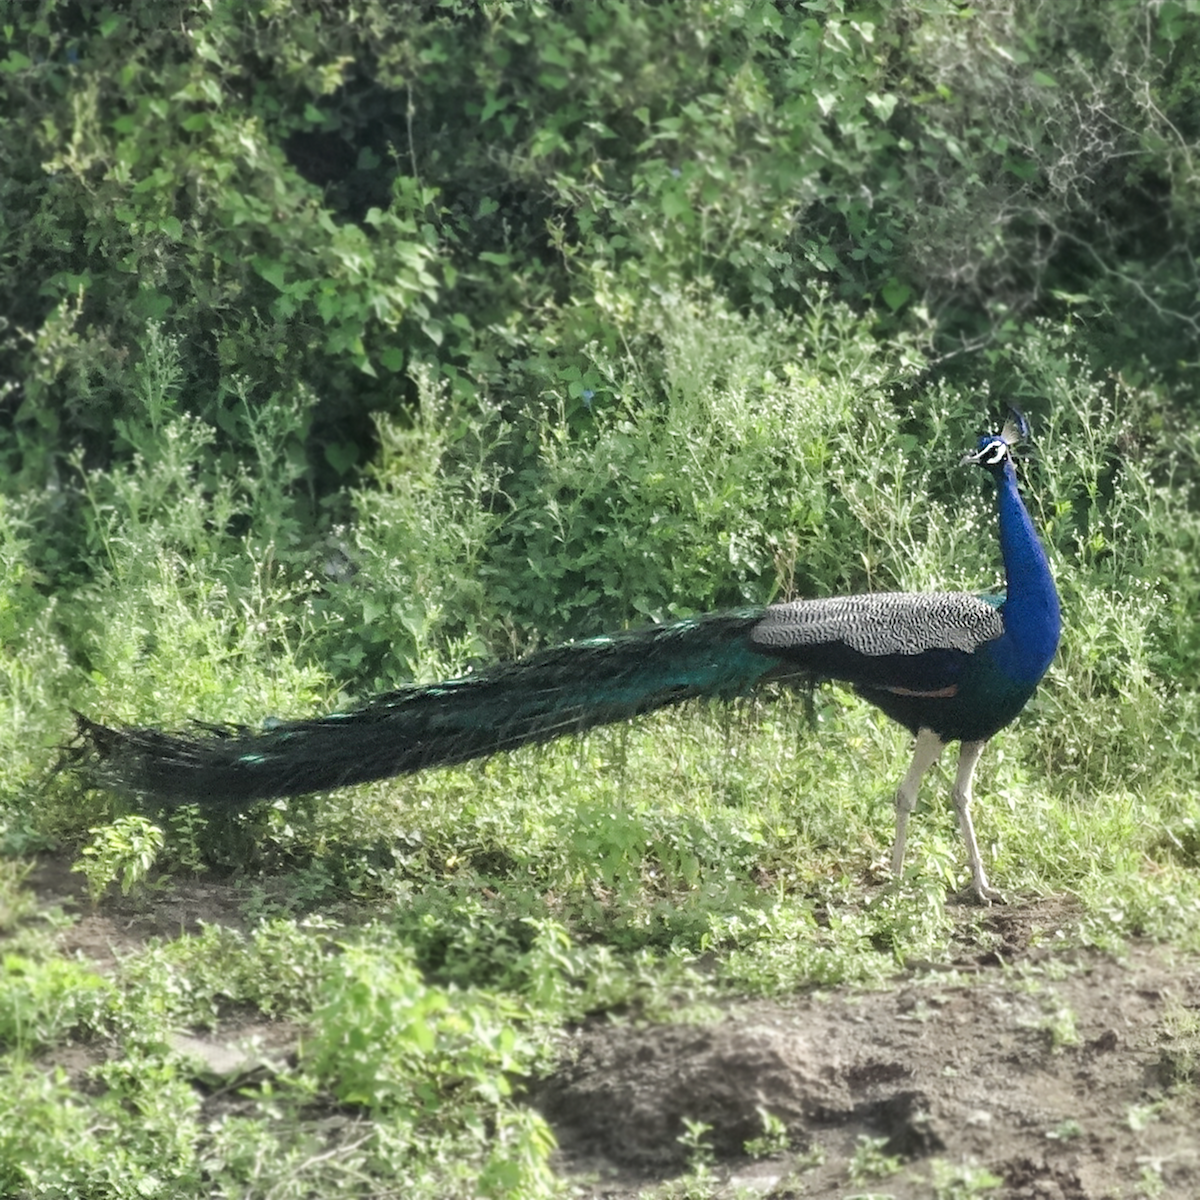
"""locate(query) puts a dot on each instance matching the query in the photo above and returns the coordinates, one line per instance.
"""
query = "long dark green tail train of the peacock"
(559, 692)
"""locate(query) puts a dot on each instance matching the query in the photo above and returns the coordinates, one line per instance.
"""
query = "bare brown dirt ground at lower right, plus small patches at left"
(1065, 1076)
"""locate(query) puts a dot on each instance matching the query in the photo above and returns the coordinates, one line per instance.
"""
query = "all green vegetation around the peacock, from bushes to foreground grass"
(351, 345)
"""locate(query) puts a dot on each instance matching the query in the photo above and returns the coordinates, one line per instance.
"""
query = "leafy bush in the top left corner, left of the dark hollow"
(158, 185)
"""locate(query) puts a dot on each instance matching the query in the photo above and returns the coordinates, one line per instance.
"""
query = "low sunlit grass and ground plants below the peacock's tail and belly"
(671, 863)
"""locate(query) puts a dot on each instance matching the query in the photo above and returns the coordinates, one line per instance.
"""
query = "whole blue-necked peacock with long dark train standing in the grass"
(950, 667)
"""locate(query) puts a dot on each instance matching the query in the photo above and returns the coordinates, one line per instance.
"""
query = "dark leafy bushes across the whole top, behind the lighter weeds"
(325, 199)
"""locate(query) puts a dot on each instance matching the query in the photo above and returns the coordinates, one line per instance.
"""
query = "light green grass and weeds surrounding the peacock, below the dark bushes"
(421, 944)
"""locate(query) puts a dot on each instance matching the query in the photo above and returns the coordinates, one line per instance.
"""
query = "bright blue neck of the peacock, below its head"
(1033, 622)
